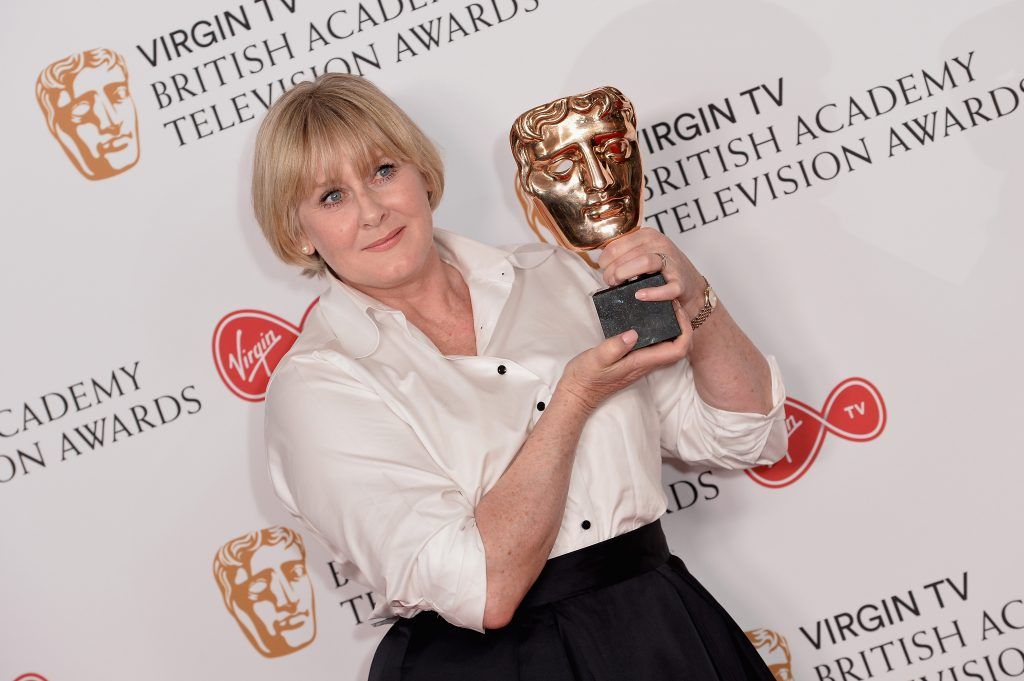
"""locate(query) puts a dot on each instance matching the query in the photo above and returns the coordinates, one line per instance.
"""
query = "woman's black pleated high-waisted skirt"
(625, 610)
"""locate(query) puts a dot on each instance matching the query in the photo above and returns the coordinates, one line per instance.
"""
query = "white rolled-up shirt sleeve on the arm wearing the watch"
(697, 433)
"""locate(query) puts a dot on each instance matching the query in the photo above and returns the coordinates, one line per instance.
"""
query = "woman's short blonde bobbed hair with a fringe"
(304, 135)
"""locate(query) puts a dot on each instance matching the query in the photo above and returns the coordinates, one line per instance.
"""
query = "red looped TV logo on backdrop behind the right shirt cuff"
(854, 410)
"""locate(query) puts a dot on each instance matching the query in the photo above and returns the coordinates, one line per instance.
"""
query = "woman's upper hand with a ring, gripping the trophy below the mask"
(639, 253)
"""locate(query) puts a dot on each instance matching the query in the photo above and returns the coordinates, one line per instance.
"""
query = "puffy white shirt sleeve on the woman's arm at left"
(361, 480)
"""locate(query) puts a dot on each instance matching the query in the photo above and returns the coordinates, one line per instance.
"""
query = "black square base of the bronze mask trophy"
(619, 311)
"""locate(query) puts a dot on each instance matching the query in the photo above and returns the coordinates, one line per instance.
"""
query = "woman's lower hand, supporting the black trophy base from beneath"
(595, 375)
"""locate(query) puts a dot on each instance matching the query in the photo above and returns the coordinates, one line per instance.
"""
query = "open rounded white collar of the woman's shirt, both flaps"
(349, 312)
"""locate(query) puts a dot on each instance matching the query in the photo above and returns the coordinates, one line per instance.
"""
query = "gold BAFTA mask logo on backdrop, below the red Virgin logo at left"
(263, 578)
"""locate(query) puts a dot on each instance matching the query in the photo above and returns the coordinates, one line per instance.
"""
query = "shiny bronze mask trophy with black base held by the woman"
(580, 165)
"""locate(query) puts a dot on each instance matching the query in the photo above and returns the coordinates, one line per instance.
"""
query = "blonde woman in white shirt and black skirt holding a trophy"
(451, 418)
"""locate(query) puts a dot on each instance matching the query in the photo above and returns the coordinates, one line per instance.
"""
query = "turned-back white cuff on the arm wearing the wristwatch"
(745, 440)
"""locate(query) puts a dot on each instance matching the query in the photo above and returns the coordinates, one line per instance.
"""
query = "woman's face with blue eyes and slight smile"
(374, 232)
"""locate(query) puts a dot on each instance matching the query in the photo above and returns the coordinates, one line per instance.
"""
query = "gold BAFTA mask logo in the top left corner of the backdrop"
(89, 108)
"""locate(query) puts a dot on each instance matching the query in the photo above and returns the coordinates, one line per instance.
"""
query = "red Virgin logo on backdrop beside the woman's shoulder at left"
(248, 346)
